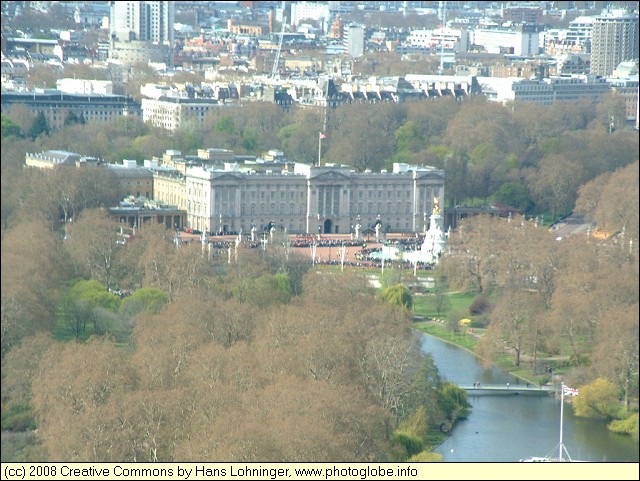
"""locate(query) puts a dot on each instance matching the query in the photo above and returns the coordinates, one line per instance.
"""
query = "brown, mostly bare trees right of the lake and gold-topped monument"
(576, 298)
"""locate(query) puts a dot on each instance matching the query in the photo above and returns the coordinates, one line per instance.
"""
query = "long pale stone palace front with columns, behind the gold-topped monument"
(310, 199)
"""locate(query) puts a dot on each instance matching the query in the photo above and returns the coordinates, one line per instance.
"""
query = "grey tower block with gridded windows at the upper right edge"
(614, 40)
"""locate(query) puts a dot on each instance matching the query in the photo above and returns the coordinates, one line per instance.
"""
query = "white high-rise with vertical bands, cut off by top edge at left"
(141, 31)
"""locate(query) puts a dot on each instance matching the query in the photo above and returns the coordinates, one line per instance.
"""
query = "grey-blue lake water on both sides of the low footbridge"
(507, 428)
